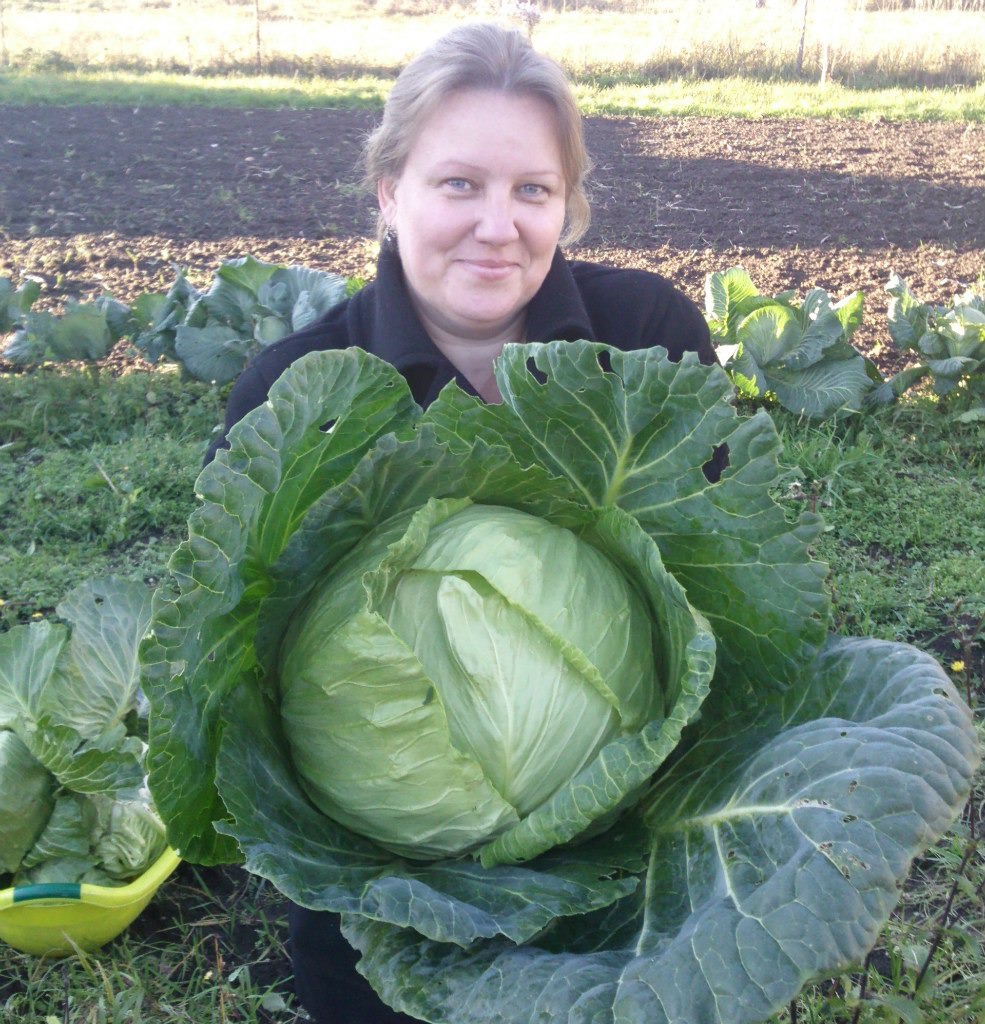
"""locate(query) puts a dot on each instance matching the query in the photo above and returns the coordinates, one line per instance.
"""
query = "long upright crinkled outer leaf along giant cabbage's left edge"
(256, 496)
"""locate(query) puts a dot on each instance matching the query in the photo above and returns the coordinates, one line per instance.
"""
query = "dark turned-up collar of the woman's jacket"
(397, 334)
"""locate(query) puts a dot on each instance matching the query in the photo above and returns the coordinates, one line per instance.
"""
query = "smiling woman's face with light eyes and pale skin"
(479, 210)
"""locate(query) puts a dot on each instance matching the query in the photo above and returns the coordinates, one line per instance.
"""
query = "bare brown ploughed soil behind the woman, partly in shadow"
(113, 199)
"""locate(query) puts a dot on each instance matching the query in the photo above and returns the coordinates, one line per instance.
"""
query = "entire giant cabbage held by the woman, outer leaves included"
(543, 707)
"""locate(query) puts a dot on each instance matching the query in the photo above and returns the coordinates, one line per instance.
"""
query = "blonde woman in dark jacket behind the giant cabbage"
(480, 169)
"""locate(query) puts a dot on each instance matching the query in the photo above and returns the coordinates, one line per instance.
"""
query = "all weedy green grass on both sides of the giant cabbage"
(97, 476)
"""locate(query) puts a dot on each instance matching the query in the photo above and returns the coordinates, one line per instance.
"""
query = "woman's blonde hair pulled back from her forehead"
(481, 57)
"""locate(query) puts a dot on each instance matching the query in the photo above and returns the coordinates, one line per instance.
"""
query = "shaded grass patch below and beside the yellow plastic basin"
(218, 959)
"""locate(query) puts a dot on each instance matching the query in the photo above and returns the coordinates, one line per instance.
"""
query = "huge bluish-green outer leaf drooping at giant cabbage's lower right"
(780, 842)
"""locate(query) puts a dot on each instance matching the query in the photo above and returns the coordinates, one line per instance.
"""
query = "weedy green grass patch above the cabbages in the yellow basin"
(97, 476)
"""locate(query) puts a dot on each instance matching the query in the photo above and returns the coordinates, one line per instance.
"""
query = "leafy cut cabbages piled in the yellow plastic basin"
(74, 805)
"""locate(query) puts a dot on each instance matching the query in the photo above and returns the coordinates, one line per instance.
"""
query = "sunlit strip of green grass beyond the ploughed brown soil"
(611, 96)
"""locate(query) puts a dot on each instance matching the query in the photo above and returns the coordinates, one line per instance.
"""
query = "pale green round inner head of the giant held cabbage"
(458, 668)
